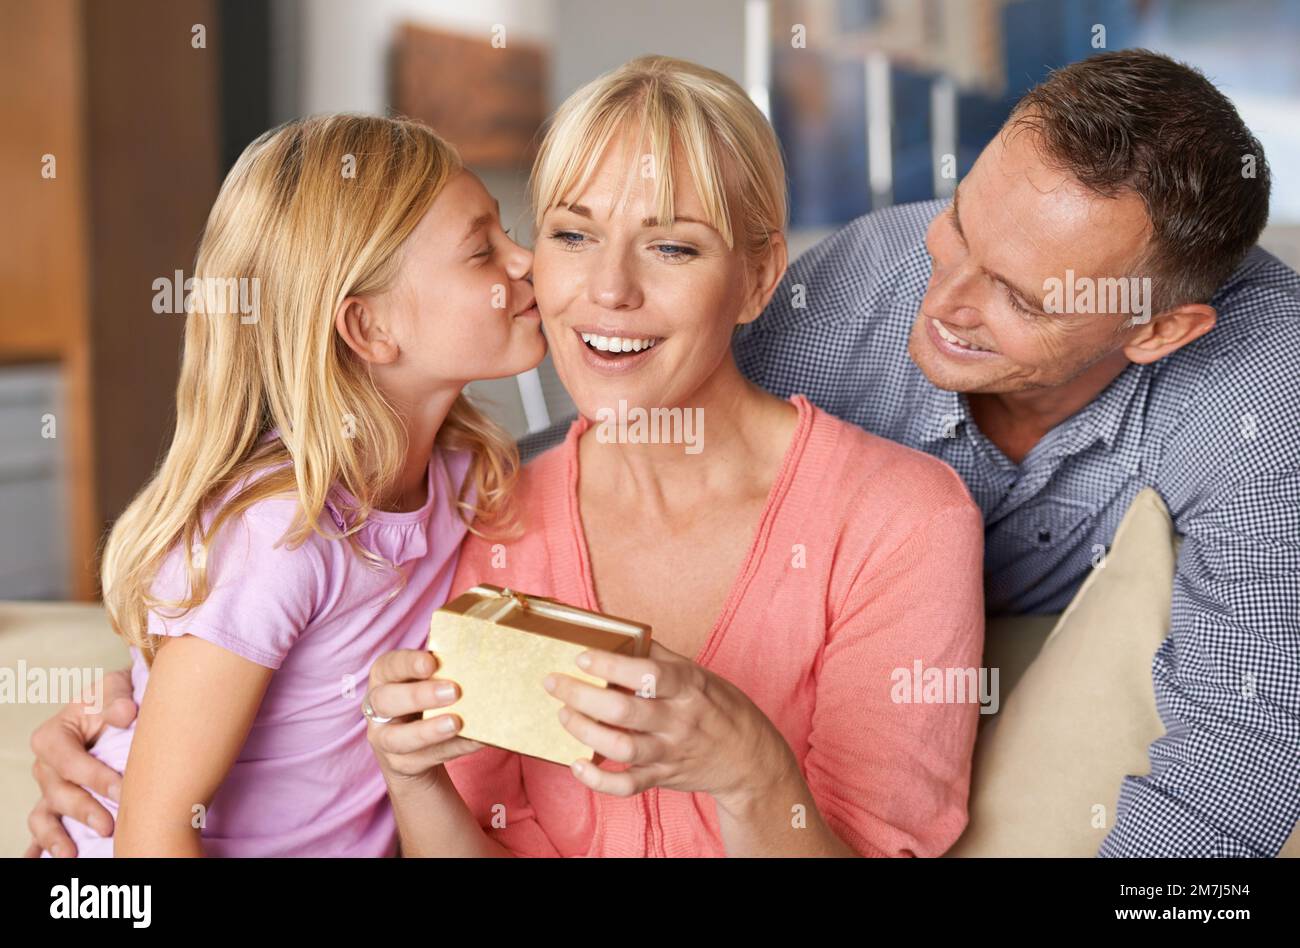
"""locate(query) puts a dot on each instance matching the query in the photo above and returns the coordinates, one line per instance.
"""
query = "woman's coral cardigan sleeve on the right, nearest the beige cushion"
(890, 768)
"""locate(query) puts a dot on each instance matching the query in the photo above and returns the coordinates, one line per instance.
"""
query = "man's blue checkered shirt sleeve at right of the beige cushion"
(1225, 778)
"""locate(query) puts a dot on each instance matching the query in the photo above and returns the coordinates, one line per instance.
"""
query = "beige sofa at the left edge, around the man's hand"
(45, 637)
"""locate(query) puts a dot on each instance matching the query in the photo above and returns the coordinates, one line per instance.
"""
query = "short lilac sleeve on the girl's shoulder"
(261, 596)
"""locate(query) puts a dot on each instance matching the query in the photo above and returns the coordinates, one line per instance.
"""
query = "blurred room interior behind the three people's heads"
(122, 118)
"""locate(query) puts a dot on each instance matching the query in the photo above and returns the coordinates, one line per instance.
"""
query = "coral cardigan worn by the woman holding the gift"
(868, 559)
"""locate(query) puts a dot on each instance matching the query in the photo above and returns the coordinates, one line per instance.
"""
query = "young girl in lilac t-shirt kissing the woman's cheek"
(324, 470)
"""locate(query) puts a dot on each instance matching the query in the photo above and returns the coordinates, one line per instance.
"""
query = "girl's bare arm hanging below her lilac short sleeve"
(197, 712)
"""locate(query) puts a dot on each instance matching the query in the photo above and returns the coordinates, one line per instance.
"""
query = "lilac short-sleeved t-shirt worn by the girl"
(306, 782)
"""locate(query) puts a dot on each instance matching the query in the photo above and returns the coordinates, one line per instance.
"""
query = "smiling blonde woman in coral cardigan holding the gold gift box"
(792, 565)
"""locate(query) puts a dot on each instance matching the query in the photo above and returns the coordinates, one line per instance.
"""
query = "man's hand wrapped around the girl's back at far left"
(64, 768)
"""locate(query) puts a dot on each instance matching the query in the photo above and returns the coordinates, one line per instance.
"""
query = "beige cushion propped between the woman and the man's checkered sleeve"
(1050, 764)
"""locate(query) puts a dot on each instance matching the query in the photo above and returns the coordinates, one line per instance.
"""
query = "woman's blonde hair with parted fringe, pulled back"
(727, 144)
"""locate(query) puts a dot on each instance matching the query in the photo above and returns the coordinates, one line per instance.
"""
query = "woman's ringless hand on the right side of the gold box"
(683, 728)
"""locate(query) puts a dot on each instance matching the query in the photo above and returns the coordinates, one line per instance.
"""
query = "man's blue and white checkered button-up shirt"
(1215, 428)
